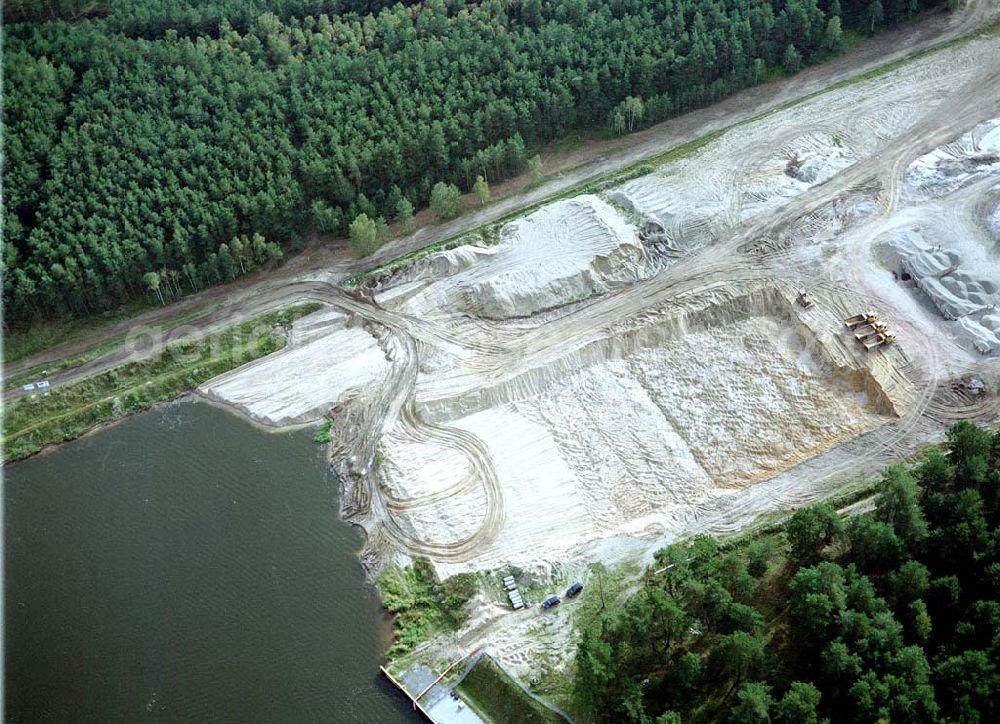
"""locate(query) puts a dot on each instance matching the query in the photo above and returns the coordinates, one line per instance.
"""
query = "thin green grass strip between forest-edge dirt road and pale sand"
(489, 232)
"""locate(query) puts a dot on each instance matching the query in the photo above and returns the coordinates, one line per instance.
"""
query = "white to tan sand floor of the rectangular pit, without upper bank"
(636, 443)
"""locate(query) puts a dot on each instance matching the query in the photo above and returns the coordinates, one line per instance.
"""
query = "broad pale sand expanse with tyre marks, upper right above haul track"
(759, 167)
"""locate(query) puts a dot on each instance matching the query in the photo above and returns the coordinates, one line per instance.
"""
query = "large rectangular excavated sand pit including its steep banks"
(628, 433)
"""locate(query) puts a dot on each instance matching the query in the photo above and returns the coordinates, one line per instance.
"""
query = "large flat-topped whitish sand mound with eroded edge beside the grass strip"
(565, 251)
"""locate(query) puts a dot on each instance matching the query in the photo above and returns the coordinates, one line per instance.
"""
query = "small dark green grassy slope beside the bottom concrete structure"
(496, 698)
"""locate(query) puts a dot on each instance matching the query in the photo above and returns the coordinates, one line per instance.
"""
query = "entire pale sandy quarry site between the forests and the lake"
(626, 367)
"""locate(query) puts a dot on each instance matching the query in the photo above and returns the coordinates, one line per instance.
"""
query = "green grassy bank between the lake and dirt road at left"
(31, 423)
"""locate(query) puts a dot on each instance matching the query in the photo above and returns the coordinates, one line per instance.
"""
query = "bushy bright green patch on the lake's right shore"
(422, 604)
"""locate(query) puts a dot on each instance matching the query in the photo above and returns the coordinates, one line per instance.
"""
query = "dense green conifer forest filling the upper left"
(154, 147)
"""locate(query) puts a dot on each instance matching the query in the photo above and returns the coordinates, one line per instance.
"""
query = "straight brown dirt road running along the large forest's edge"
(260, 292)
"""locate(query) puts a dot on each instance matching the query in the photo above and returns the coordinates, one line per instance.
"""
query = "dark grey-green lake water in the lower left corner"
(184, 566)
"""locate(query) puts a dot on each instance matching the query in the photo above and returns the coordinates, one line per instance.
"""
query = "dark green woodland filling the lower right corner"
(888, 616)
